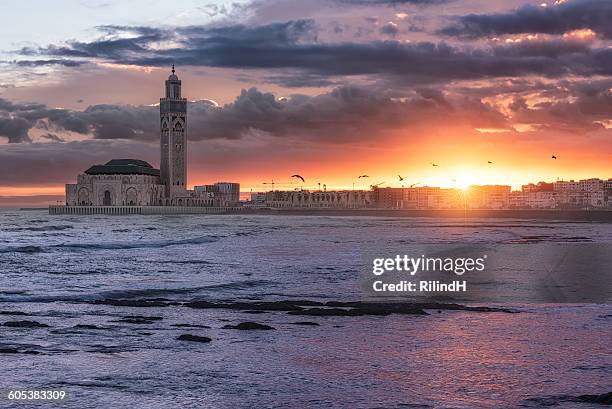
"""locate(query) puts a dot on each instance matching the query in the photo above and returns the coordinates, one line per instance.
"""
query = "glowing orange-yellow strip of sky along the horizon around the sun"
(461, 161)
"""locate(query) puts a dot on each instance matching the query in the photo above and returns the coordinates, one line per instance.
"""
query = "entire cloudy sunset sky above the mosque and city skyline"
(330, 89)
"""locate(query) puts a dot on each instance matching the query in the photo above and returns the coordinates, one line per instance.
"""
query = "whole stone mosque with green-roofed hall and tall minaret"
(133, 182)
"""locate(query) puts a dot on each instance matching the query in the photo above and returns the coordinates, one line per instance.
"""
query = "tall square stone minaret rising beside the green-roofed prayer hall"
(172, 113)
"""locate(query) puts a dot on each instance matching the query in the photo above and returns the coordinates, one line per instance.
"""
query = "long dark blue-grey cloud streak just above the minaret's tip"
(293, 46)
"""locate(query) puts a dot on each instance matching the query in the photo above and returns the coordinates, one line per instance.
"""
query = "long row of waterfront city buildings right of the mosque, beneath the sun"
(580, 195)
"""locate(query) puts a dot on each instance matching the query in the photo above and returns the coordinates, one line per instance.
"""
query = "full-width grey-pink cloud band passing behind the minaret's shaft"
(345, 114)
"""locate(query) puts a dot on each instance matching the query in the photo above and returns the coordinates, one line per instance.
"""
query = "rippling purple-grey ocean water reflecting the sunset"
(113, 295)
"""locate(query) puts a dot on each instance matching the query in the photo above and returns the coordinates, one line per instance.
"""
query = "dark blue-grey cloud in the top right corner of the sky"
(553, 19)
